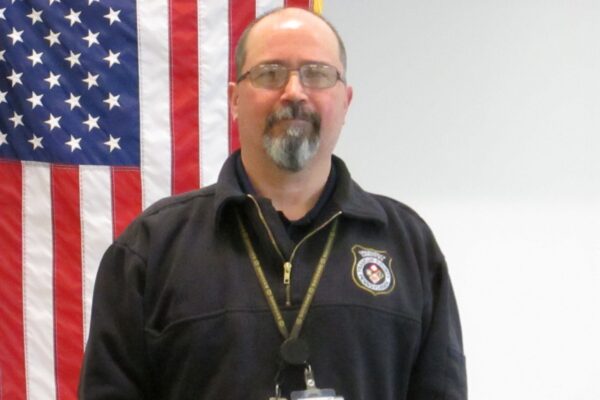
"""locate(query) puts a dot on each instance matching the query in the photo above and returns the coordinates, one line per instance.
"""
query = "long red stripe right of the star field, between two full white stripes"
(183, 25)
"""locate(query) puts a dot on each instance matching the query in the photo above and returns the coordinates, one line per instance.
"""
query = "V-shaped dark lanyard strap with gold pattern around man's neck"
(310, 293)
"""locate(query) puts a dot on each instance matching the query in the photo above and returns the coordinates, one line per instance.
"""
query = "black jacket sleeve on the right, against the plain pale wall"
(439, 371)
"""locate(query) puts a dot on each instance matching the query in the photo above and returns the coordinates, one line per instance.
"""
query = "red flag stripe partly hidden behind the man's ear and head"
(241, 13)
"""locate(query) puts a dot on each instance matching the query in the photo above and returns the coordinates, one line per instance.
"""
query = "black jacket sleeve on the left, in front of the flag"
(114, 366)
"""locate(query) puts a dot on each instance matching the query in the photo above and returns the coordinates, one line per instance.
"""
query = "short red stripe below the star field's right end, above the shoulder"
(126, 197)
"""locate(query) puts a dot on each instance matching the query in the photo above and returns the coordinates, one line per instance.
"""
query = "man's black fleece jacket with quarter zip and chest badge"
(178, 312)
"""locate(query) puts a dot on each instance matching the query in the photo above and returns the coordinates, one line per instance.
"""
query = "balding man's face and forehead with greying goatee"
(293, 124)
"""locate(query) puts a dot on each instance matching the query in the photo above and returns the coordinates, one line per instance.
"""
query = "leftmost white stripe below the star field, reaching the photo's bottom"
(38, 299)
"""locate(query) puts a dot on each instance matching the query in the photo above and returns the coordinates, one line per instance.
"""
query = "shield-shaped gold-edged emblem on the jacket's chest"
(372, 270)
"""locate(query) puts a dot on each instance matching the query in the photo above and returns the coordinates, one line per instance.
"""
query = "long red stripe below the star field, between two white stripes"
(68, 289)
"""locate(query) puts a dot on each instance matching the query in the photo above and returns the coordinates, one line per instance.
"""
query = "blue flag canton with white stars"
(68, 82)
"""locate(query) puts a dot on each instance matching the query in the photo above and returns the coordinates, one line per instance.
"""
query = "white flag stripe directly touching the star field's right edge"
(155, 118)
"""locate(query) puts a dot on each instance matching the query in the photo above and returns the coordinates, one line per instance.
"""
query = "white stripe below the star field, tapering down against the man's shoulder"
(97, 229)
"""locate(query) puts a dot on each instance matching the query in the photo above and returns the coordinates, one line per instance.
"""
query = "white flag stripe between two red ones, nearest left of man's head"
(213, 26)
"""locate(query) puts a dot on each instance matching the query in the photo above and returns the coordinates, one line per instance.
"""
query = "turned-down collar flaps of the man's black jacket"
(348, 196)
